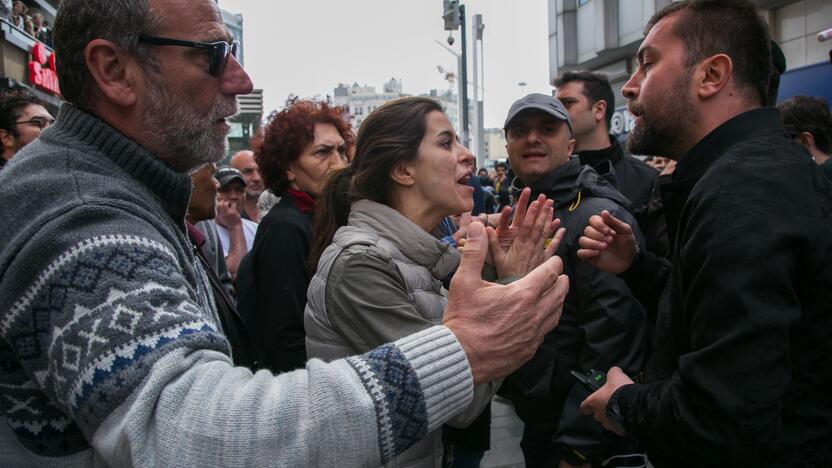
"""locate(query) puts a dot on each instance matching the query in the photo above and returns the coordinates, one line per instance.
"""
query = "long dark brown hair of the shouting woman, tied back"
(390, 135)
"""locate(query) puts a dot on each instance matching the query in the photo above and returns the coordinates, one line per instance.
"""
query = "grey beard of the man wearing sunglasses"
(183, 138)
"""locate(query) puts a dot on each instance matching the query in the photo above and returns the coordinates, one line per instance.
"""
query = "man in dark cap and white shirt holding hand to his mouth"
(236, 234)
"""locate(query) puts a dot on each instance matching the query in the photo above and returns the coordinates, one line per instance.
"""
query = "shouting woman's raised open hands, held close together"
(529, 231)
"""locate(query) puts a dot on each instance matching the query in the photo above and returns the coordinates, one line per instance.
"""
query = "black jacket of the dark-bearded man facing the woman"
(741, 373)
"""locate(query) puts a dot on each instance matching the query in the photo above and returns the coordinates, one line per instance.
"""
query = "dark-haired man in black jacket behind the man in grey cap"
(589, 100)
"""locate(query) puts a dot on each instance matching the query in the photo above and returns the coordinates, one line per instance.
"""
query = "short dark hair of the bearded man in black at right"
(731, 27)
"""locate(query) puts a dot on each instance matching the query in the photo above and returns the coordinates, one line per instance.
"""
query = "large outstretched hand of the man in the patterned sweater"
(501, 326)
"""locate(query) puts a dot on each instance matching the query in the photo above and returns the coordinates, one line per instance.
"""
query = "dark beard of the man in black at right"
(664, 130)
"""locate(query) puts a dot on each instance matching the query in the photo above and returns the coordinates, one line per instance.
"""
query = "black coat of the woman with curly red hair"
(272, 284)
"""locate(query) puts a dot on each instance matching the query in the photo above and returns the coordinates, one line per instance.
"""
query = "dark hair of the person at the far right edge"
(809, 114)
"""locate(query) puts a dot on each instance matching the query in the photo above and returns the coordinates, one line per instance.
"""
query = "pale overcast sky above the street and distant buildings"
(307, 47)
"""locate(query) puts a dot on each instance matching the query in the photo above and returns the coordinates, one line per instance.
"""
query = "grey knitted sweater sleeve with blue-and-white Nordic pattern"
(119, 340)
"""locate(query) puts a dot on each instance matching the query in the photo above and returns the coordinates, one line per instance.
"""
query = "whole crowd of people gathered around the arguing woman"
(332, 297)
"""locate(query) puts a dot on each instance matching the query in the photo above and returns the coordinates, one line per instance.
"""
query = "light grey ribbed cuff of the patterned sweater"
(440, 364)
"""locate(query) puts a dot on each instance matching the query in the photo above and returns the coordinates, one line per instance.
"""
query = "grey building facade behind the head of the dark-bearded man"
(604, 36)
